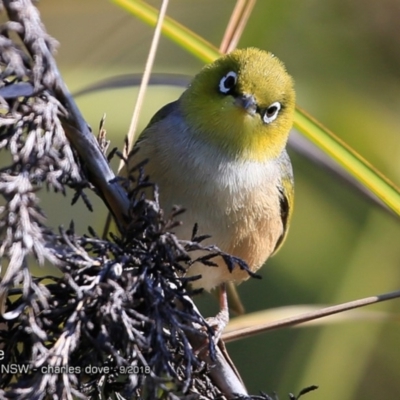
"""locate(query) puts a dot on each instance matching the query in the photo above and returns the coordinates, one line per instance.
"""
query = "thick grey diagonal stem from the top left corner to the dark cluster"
(76, 129)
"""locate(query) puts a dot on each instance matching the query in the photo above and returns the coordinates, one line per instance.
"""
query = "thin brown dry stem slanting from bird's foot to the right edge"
(324, 312)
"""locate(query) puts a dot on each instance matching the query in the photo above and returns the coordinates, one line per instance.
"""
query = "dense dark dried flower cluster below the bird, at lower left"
(116, 321)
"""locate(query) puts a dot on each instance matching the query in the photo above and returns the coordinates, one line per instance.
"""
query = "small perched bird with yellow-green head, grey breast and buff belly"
(219, 152)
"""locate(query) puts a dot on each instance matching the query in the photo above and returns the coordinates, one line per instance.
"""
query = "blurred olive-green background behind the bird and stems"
(345, 59)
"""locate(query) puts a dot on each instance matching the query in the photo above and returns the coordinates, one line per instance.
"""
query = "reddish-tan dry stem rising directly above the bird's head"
(237, 23)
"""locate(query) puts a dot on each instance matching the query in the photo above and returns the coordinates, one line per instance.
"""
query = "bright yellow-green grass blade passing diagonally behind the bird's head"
(357, 166)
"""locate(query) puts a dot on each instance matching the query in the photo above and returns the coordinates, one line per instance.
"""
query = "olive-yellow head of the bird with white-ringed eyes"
(243, 103)
